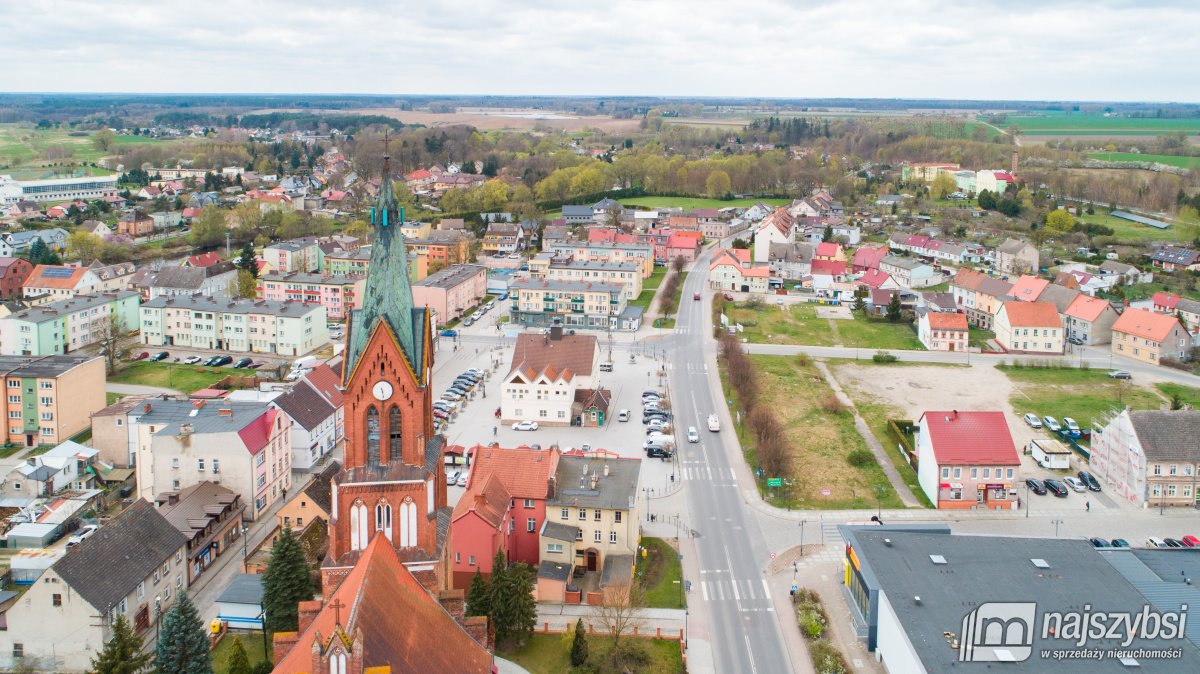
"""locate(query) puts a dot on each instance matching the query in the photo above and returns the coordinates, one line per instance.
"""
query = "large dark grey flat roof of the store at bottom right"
(995, 569)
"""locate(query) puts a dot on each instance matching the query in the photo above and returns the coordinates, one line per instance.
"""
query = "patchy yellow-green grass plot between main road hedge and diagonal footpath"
(820, 440)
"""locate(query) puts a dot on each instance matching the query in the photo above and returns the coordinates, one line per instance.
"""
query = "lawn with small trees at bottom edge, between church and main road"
(550, 654)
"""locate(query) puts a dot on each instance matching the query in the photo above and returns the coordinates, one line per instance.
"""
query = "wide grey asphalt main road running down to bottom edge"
(730, 547)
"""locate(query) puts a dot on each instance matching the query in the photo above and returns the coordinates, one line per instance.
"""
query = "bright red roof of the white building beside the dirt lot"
(970, 438)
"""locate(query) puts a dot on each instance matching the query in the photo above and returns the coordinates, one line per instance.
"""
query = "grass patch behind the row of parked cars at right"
(1084, 395)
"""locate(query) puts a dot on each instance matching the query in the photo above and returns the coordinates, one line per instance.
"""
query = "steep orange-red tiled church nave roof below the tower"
(404, 627)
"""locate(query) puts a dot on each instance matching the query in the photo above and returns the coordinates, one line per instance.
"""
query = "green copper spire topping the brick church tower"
(388, 297)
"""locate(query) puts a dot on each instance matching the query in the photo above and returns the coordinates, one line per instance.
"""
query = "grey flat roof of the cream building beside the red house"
(617, 491)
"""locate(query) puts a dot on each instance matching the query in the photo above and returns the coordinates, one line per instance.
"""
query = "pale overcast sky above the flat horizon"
(1025, 50)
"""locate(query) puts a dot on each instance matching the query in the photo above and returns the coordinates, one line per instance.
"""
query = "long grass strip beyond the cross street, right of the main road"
(799, 324)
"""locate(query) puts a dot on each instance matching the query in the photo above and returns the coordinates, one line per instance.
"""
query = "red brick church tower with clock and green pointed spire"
(391, 484)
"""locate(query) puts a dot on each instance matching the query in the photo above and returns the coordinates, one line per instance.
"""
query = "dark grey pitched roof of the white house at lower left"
(107, 567)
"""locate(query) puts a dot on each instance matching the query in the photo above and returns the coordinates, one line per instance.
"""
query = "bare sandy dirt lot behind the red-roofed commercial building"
(915, 390)
